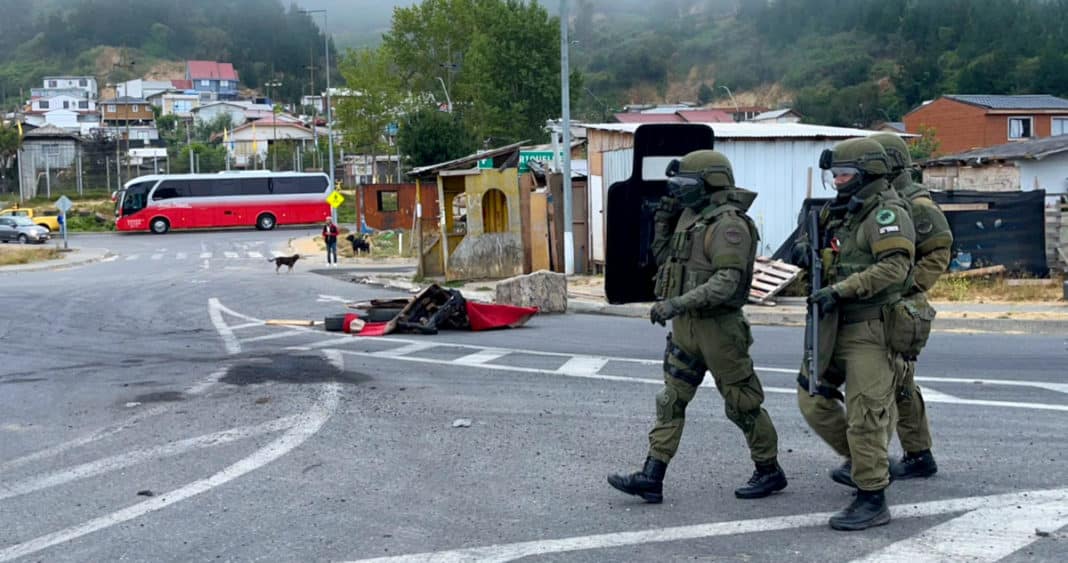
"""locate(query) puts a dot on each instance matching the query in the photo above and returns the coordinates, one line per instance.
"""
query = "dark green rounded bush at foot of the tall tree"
(429, 137)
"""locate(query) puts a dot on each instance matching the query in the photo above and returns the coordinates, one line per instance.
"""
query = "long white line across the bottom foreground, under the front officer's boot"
(504, 553)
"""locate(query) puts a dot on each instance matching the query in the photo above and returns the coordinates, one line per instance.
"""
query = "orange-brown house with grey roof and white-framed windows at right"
(968, 122)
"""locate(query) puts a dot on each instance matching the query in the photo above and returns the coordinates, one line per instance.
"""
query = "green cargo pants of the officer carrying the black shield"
(720, 343)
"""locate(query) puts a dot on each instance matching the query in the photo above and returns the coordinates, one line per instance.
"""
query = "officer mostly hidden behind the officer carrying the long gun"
(934, 251)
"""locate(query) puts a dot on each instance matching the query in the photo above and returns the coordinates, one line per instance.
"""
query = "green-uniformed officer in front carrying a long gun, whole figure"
(868, 245)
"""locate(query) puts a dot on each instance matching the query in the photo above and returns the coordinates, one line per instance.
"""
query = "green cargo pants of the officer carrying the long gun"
(863, 430)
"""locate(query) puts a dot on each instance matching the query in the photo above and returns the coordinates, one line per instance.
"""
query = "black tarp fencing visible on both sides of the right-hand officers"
(1009, 231)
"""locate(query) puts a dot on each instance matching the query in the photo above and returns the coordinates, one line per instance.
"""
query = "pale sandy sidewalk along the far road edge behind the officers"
(586, 295)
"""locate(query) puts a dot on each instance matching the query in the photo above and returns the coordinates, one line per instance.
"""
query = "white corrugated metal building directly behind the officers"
(778, 161)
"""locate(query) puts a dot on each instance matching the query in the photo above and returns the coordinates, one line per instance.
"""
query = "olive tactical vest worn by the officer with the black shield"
(688, 268)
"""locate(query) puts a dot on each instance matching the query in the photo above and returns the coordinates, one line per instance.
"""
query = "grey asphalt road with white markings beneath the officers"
(147, 414)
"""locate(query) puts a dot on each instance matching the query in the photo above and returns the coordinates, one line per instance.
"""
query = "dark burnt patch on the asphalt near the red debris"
(291, 370)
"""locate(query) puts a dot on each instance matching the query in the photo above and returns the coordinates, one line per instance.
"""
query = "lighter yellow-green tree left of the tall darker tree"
(375, 103)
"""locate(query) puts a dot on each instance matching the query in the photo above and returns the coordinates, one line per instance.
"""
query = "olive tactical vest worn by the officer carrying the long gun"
(852, 258)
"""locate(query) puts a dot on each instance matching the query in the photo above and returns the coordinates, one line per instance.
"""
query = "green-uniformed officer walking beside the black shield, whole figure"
(706, 246)
